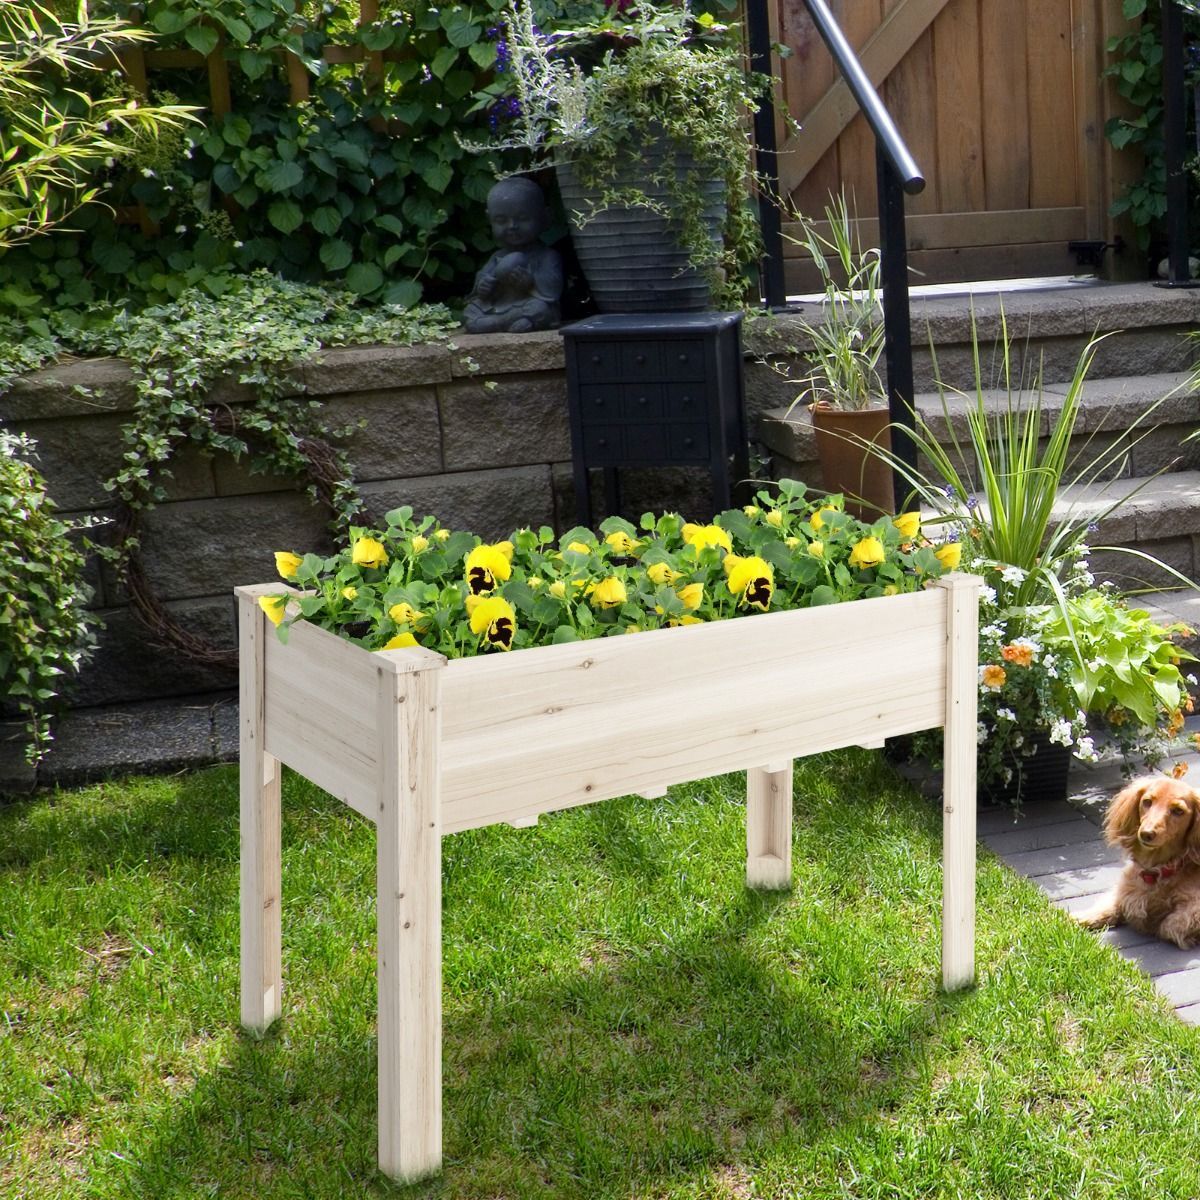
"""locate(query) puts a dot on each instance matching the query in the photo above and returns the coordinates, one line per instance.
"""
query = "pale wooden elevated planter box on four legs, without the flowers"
(425, 747)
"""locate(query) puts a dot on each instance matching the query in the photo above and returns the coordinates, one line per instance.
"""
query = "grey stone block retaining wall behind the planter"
(488, 459)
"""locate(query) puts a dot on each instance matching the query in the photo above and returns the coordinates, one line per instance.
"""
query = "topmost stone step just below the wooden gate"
(1048, 331)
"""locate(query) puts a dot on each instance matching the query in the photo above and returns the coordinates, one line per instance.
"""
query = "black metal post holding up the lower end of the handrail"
(897, 325)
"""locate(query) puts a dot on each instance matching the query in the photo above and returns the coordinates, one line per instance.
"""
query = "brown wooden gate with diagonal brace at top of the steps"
(1003, 106)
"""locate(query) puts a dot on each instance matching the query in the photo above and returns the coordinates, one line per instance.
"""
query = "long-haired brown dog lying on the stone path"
(1156, 821)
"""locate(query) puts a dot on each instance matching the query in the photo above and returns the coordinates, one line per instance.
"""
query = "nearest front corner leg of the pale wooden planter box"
(410, 925)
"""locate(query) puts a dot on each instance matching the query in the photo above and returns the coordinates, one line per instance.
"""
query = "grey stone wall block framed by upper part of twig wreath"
(208, 548)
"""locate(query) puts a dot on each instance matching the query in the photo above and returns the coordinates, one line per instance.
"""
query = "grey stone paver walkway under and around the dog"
(1060, 847)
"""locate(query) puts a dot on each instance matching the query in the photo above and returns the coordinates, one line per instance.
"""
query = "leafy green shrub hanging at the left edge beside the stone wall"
(45, 627)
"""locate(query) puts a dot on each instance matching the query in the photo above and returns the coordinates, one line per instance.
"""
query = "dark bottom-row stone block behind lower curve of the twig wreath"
(129, 667)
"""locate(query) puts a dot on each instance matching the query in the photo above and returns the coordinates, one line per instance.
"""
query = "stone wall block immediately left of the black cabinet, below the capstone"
(520, 422)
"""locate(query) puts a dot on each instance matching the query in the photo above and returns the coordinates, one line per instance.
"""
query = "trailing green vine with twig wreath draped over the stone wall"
(256, 335)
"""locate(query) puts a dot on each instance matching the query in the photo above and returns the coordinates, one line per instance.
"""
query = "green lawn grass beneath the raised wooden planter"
(623, 1019)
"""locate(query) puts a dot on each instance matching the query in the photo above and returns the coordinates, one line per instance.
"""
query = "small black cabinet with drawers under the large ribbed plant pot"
(656, 391)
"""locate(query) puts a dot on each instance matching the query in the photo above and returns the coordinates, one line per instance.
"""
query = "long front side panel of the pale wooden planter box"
(537, 733)
